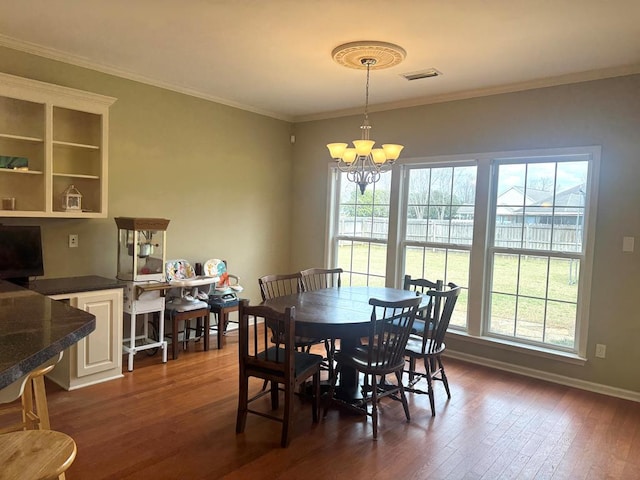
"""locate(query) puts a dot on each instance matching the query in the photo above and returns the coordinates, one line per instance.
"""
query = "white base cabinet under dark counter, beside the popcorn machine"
(97, 357)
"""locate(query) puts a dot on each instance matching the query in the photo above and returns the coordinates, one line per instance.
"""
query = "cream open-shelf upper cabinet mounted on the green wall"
(63, 135)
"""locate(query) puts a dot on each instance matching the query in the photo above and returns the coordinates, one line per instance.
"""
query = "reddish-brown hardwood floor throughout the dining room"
(177, 421)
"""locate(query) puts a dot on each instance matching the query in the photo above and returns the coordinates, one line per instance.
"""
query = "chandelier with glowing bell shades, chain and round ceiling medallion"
(362, 163)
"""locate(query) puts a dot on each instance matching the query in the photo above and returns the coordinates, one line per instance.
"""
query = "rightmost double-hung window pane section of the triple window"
(537, 249)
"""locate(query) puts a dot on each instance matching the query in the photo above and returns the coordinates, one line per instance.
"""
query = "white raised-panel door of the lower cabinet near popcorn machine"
(102, 349)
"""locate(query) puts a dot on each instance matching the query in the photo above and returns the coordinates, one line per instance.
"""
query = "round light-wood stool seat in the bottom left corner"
(35, 455)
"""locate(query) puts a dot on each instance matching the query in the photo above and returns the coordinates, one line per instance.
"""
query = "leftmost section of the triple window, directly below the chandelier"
(360, 245)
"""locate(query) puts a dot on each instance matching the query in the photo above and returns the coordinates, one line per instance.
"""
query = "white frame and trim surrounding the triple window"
(479, 274)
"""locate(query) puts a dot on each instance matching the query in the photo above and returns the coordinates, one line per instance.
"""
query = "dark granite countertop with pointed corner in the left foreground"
(34, 328)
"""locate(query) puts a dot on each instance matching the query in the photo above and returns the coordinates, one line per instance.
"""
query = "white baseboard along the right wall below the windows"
(550, 377)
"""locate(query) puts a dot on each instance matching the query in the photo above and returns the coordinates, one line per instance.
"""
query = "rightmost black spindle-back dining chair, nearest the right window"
(430, 348)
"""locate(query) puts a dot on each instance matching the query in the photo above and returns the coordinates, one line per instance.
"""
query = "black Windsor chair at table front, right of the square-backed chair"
(383, 354)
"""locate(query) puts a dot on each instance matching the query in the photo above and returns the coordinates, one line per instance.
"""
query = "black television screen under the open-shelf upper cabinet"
(20, 253)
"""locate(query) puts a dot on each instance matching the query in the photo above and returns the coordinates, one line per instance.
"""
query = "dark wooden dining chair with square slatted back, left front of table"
(278, 363)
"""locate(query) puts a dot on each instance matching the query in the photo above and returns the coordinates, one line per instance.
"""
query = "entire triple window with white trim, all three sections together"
(514, 230)
